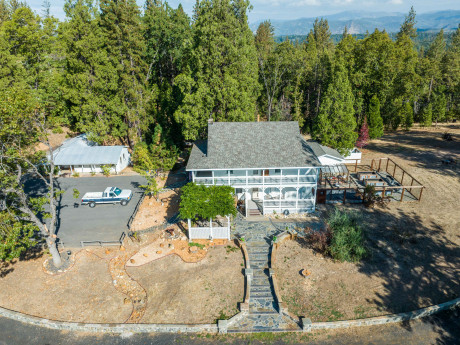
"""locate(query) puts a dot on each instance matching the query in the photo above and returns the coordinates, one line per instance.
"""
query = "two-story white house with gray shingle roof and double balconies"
(270, 165)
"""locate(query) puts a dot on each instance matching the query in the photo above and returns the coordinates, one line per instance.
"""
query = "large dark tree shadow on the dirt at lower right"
(418, 263)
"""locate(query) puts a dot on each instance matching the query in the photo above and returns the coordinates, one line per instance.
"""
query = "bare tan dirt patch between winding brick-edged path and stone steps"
(195, 292)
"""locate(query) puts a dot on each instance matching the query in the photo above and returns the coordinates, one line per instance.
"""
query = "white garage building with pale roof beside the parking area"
(81, 155)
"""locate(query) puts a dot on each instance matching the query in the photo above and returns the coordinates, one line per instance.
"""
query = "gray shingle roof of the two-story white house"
(239, 145)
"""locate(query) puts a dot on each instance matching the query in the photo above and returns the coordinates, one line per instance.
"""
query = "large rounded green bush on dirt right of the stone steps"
(347, 242)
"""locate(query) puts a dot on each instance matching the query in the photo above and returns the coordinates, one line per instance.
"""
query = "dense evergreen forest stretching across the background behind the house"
(151, 76)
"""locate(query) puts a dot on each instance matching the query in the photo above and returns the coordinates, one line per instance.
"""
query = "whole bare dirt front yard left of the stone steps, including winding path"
(186, 286)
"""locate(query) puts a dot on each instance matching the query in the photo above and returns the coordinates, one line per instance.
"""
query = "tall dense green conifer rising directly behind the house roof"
(223, 78)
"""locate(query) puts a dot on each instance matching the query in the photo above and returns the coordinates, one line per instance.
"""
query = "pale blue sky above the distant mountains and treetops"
(293, 9)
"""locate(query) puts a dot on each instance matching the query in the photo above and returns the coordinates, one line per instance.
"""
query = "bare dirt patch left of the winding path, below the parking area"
(84, 293)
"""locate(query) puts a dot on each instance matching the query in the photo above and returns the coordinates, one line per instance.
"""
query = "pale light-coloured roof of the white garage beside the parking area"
(79, 151)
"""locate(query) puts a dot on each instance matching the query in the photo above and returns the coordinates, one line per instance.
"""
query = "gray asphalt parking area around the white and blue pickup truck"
(104, 222)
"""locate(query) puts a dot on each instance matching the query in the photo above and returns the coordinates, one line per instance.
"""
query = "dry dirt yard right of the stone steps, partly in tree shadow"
(414, 246)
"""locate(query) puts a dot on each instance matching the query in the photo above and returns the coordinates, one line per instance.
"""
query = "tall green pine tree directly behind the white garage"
(90, 80)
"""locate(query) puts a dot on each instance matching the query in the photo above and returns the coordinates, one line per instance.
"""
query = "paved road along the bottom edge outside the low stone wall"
(443, 329)
